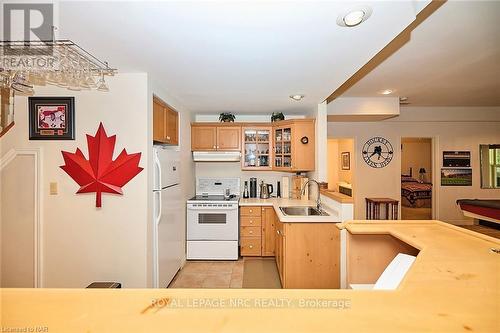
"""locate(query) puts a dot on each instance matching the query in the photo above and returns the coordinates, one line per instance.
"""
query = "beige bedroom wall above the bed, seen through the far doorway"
(417, 153)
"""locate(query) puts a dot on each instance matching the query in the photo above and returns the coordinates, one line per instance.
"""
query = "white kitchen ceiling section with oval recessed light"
(242, 57)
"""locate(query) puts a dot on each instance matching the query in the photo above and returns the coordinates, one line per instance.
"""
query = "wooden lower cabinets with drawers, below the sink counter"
(307, 254)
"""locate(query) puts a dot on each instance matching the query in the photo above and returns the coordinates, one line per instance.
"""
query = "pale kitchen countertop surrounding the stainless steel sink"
(280, 202)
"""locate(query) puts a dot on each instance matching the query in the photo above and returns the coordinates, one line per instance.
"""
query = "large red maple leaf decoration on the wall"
(100, 173)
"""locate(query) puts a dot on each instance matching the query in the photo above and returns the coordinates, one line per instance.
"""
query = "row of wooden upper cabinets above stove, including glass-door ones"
(287, 145)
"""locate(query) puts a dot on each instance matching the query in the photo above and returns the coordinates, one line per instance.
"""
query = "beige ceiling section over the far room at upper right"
(452, 59)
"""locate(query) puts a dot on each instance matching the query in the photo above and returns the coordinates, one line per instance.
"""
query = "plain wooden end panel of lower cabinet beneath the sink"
(308, 255)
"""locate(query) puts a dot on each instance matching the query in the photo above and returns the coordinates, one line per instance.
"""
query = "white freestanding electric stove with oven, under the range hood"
(212, 220)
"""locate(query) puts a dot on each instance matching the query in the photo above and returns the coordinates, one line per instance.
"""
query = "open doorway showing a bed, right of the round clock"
(416, 178)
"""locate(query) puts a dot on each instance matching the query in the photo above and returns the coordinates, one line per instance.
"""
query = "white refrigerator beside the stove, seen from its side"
(168, 224)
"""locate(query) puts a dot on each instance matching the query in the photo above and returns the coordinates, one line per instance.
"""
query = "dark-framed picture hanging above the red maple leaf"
(51, 118)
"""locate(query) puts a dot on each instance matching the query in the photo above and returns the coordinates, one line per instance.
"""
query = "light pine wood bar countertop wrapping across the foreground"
(453, 286)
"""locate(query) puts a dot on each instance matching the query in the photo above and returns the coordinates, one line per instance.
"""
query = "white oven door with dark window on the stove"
(212, 222)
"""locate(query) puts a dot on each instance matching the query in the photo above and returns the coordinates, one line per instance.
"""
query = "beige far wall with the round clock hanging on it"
(452, 128)
